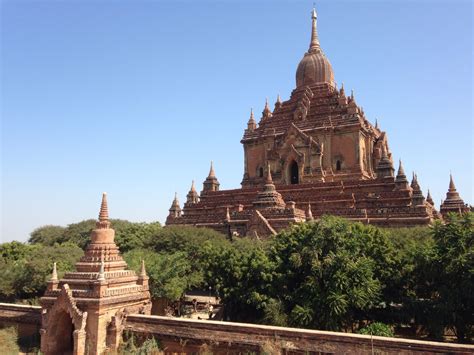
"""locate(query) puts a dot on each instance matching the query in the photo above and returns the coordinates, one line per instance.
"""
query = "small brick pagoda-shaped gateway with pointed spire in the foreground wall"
(82, 313)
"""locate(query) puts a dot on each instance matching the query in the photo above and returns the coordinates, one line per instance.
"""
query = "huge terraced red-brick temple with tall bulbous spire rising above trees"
(313, 154)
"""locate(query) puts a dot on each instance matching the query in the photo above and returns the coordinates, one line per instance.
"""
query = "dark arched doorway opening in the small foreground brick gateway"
(61, 333)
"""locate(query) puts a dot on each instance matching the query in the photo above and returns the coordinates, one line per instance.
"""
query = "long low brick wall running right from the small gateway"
(185, 335)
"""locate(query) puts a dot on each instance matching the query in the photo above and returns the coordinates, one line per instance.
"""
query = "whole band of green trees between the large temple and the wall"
(328, 274)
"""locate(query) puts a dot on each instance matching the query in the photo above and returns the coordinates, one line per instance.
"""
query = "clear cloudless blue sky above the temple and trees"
(136, 97)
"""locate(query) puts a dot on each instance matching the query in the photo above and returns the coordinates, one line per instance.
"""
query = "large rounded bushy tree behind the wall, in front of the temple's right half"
(327, 271)
